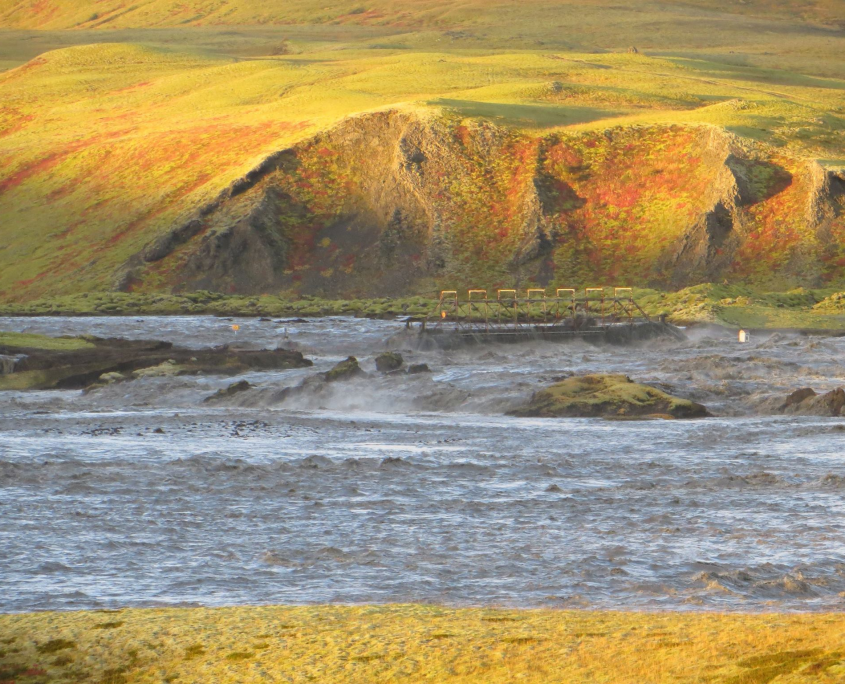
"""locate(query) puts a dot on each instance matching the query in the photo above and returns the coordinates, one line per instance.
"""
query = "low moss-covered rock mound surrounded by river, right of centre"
(607, 396)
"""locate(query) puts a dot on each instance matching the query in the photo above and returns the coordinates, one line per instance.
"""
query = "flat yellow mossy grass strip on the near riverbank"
(411, 643)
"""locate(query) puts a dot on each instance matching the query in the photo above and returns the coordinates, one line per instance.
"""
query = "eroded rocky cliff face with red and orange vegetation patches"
(394, 202)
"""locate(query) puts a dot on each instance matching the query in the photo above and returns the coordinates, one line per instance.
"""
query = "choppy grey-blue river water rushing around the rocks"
(410, 488)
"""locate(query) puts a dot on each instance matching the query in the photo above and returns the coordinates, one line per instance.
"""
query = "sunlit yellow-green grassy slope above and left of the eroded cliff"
(104, 146)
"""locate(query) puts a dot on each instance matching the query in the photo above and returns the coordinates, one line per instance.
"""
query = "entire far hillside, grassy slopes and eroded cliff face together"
(370, 148)
